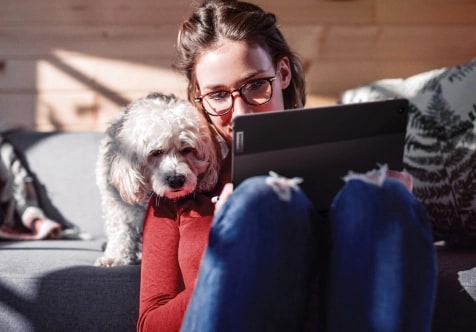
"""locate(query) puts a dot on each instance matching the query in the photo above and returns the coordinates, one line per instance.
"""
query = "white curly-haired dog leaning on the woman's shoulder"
(160, 144)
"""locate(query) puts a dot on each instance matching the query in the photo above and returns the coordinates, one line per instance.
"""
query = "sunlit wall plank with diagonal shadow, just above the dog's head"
(72, 71)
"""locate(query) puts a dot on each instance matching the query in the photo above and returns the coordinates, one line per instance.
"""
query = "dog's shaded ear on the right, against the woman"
(212, 155)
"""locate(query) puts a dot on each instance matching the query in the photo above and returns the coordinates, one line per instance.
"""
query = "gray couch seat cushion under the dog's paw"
(52, 285)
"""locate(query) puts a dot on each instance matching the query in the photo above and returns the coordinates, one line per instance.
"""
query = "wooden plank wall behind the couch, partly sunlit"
(72, 64)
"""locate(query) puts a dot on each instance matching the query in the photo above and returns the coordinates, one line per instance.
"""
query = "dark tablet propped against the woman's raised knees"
(320, 145)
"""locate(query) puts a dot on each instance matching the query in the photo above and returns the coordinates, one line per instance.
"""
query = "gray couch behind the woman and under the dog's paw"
(52, 285)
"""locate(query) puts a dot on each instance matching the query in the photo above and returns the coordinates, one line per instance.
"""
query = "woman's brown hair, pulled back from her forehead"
(215, 20)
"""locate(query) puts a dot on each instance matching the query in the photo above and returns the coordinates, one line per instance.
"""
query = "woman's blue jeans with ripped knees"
(373, 258)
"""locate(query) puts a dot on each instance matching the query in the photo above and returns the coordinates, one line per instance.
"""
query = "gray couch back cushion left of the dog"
(64, 165)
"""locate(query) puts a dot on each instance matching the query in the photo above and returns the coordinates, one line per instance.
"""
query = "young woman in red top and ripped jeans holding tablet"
(248, 263)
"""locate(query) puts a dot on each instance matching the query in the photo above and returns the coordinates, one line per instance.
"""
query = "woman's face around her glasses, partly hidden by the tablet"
(232, 64)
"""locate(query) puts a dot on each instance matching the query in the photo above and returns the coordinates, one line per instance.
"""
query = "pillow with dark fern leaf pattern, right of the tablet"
(440, 149)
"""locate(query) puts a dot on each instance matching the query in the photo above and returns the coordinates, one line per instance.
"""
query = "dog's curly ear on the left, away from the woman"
(127, 175)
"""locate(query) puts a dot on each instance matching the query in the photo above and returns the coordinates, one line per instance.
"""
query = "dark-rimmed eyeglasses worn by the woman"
(256, 92)
